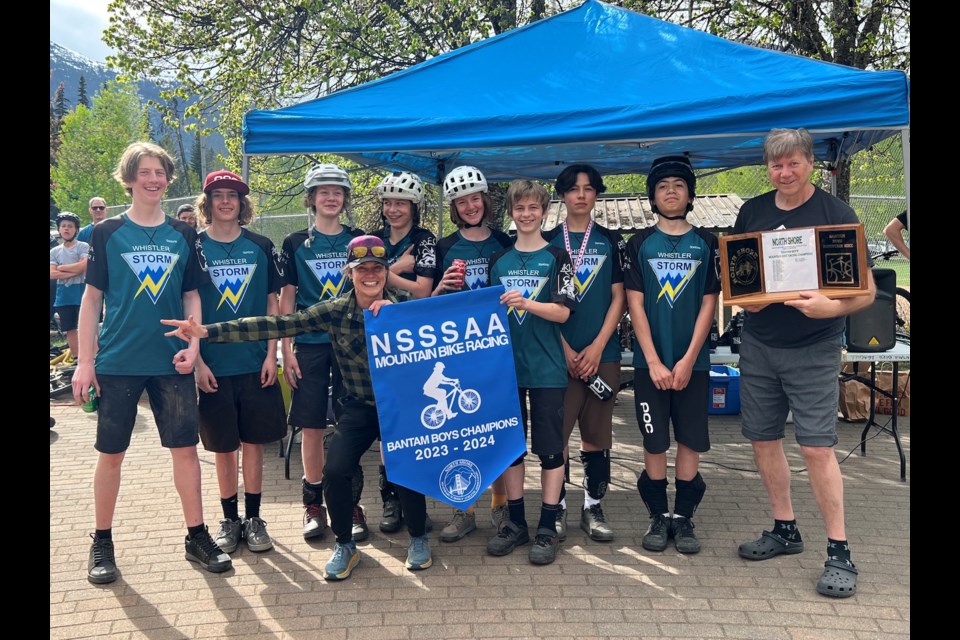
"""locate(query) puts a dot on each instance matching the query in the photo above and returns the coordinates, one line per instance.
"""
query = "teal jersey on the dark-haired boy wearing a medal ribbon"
(602, 266)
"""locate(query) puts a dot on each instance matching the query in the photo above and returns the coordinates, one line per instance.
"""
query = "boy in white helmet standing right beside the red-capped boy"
(313, 260)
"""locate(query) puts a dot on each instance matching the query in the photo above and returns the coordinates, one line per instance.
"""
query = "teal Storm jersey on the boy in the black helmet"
(674, 273)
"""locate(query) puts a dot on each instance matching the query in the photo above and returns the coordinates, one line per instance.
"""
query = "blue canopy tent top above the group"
(595, 84)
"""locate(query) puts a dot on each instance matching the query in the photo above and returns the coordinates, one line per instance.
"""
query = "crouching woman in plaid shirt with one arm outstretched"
(358, 426)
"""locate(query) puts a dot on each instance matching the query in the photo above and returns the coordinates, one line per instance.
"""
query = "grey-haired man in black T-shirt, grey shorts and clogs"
(790, 360)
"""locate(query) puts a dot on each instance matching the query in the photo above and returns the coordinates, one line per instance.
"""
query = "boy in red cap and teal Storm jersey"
(241, 405)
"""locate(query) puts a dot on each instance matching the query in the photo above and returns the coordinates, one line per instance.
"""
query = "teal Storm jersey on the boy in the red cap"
(242, 273)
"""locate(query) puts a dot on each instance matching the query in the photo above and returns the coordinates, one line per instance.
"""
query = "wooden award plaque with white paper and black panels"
(774, 266)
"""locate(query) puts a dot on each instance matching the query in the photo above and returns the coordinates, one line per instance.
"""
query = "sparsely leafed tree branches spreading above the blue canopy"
(245, 55)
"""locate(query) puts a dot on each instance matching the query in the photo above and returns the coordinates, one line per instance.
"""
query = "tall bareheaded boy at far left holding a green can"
(145, 266)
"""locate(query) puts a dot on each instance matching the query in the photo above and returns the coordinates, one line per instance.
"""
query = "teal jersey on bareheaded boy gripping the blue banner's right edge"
(544, 275)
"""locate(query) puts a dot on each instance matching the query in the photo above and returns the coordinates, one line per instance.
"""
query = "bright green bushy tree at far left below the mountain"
(92, 142)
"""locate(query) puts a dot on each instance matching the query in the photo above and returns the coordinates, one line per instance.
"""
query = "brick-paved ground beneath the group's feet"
(594, 590)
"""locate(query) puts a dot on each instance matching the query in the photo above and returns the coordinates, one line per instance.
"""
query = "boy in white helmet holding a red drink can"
(474, 242)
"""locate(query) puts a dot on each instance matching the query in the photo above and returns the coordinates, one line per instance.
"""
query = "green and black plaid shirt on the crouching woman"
(342, 317)
